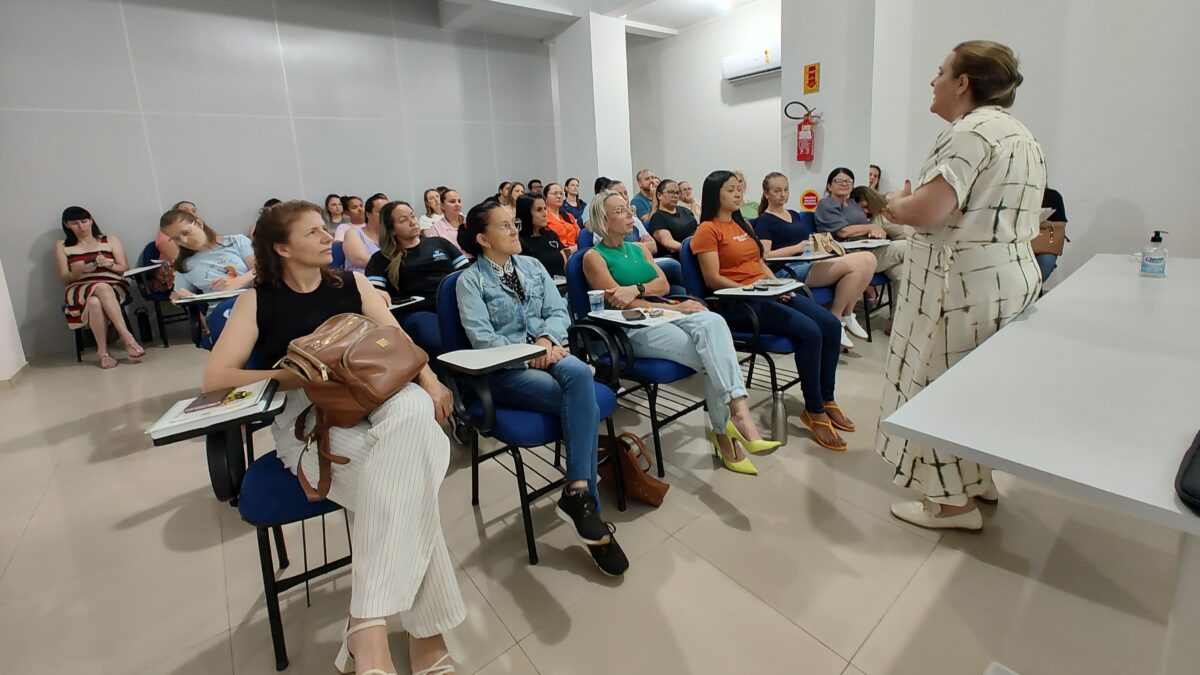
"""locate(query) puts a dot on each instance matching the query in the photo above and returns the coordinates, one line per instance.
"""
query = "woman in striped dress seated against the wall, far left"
(92, 264)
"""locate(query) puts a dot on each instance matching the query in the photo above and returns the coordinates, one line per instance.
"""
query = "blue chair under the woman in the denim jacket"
(514, 428)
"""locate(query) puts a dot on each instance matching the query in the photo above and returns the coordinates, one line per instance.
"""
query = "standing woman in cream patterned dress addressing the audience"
(970, 271)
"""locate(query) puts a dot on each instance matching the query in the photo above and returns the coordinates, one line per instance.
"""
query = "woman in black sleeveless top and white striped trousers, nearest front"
(399, 455)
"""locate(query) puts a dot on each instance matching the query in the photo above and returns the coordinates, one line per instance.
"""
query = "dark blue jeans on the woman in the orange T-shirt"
(815, 337)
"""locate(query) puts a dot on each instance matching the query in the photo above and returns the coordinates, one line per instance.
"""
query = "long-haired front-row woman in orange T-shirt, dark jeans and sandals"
(730, 256)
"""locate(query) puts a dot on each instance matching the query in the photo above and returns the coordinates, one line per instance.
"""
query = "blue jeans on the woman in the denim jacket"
(565, 390)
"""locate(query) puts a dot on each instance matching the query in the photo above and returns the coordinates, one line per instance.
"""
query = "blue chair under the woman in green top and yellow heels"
(650, 374)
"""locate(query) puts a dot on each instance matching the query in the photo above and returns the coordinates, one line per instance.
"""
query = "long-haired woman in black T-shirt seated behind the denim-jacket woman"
(409, 265)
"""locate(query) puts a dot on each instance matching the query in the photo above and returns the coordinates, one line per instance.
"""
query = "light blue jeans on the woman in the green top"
(703, 343)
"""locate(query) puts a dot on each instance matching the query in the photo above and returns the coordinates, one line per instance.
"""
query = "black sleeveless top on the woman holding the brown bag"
(285, 315)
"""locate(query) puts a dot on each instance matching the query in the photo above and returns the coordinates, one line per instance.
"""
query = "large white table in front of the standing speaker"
(1094, 393)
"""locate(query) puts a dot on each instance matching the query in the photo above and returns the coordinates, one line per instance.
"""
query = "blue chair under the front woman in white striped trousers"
(267, 497)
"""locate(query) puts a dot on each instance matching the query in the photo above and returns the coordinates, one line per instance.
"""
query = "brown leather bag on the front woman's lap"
(350, 367)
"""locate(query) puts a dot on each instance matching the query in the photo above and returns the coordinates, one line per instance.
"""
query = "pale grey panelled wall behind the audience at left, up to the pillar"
(127, 107)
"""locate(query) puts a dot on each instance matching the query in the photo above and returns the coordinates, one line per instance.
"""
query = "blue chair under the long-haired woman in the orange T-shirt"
(758, 343)
